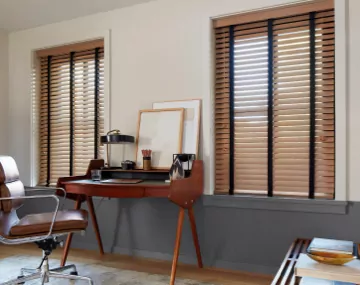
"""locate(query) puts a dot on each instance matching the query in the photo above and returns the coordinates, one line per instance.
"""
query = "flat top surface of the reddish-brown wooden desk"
(145, 183)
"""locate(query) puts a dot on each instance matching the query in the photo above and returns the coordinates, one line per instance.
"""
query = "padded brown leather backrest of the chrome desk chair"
(10, 185)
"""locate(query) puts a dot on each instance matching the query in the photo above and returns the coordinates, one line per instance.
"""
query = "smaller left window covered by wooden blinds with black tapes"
(71, 110)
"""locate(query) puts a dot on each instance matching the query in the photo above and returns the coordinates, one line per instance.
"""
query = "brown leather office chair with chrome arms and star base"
(42, 229)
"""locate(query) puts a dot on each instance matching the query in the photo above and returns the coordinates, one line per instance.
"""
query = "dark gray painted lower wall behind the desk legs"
(253, 240)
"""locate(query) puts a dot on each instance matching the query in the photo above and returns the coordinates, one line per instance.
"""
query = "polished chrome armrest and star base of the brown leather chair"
(43, 272)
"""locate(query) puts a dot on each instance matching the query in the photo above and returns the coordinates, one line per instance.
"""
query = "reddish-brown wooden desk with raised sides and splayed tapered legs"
(183, 192)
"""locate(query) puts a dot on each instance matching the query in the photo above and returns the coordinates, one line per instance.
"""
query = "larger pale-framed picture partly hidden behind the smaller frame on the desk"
(192, 120)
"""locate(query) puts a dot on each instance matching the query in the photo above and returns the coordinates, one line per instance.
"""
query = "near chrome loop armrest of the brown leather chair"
(26, 240)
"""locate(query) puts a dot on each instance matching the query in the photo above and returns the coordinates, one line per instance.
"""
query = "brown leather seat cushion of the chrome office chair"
(36, 224)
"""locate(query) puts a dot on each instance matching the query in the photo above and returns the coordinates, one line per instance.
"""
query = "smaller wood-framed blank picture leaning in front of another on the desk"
(160, 130)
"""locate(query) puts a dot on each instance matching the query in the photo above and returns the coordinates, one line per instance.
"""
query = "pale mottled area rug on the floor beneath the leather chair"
(10, 268)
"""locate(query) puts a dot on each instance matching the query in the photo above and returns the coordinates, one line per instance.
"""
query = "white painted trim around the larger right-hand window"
(341, 88)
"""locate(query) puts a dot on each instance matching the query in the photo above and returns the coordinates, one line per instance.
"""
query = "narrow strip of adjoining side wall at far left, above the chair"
(3, 91)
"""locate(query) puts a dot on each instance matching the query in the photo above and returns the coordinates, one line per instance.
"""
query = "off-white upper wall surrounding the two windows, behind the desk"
(160, 50)
